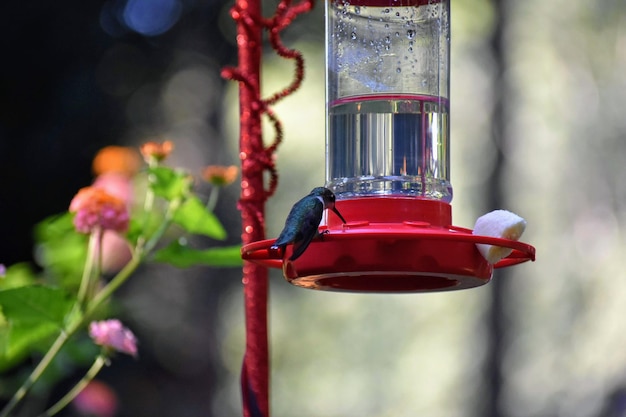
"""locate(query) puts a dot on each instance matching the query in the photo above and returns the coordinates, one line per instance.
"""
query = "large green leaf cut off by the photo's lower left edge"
(30, 315)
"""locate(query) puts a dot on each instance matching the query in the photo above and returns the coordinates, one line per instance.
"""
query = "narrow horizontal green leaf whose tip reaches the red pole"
(182, 256)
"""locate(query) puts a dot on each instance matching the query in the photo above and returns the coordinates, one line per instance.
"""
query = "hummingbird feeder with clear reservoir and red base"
(388, 160)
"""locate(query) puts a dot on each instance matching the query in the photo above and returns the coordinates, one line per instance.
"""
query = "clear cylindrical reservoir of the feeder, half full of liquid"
(388, 98)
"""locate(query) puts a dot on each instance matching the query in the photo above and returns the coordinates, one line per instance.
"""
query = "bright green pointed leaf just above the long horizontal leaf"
(193, 216)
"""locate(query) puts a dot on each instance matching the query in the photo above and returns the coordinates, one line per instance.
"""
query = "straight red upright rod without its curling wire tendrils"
(255, 368)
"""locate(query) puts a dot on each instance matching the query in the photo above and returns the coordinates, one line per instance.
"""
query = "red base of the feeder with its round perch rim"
(390, 245)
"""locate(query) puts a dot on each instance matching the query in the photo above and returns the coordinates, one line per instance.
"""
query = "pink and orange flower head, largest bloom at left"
(95, 208)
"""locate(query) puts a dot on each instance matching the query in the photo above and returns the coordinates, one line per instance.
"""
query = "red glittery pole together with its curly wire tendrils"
(255, 160)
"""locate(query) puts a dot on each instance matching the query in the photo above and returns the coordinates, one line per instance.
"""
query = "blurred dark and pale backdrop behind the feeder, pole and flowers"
(538, 128)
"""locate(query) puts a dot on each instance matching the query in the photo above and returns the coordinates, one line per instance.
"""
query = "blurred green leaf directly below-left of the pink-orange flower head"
(61, 250)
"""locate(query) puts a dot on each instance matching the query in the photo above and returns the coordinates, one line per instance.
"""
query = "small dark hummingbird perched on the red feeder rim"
(304, 219)
